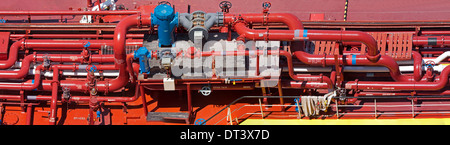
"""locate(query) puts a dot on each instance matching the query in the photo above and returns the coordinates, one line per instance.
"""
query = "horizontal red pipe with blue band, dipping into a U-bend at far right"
(386, 61)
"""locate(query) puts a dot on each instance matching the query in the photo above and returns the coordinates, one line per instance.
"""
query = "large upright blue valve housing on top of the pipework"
(166, 20)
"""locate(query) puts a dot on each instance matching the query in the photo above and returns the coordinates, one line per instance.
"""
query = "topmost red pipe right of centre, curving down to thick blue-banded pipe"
(287, 18)
